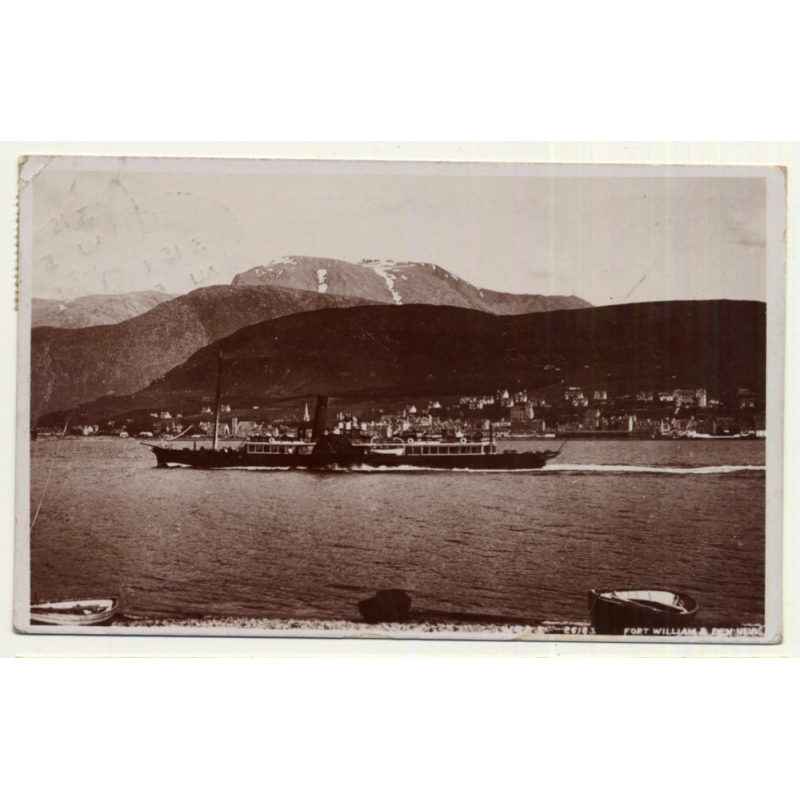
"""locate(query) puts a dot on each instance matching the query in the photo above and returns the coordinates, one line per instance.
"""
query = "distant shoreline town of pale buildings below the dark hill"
(564, 411)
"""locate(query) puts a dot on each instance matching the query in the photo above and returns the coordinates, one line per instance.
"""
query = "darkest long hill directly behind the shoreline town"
(382, 352)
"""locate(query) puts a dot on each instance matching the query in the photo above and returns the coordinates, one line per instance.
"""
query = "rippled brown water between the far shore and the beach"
(296, 545)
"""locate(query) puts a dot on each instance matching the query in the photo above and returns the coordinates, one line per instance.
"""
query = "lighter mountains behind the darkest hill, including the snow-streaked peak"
(73, 364)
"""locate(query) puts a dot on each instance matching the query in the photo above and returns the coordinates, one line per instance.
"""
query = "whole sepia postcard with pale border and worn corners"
(490, 401)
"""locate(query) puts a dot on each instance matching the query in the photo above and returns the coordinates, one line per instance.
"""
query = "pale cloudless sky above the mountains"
(606, 239)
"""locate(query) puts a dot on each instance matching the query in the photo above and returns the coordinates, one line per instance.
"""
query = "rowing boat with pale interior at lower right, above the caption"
(614, 611)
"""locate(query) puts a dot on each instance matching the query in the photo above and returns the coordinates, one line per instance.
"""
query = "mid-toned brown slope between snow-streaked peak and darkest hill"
(73, 366)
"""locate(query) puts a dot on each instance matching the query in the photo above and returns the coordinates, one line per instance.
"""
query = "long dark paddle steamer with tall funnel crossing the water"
(325, 450)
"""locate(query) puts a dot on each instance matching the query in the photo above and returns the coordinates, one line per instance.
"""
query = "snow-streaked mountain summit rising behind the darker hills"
(401, 283)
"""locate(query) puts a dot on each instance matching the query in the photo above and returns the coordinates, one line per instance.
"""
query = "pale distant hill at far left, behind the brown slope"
(93, 309)
